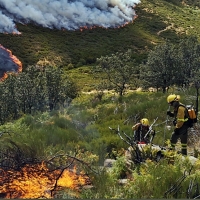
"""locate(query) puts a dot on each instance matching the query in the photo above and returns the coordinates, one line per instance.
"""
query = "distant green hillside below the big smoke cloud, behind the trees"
(157, 21)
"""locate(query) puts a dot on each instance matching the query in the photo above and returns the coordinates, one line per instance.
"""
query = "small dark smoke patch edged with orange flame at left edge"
(8, 62)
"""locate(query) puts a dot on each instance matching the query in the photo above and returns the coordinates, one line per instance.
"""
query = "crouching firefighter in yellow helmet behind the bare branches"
(140, 130)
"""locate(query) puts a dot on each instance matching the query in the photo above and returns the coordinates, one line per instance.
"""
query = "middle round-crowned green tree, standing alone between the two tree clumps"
(117, 71)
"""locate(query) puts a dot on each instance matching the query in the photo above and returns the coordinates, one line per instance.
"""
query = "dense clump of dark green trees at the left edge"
(36, 89)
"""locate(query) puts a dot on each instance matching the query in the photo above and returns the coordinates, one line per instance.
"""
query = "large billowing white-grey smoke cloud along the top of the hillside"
(67, 14)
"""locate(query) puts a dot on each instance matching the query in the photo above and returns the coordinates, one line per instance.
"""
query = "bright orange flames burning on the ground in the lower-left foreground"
(37, 181)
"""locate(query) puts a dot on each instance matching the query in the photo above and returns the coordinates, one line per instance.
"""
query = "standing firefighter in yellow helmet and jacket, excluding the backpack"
(180, 115)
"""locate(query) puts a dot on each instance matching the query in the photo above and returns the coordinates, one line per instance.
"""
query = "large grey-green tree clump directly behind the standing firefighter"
(170, 64)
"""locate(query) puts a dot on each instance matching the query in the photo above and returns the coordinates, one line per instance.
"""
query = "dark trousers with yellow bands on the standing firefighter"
(183, 135)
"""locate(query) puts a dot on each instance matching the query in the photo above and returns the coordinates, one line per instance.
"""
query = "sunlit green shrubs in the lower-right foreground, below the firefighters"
(146, 183)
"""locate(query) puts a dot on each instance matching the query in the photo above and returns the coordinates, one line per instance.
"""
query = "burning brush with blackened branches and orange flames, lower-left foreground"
(40, 179)
